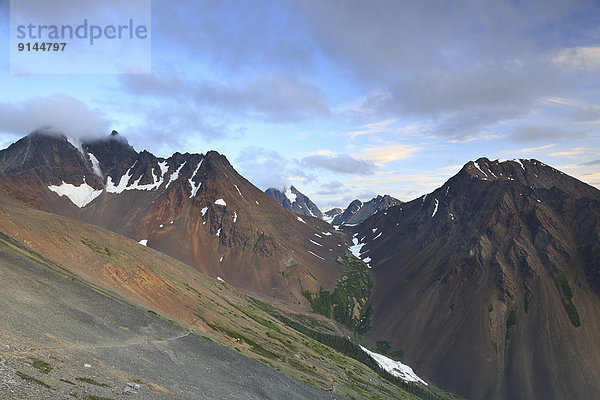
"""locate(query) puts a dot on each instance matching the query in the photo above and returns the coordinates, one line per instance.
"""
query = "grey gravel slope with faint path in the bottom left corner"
(61, 339)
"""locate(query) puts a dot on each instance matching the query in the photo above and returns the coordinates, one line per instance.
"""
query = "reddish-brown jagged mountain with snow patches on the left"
(194, 207)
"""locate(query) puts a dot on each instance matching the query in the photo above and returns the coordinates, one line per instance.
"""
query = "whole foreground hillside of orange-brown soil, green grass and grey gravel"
(79, 258)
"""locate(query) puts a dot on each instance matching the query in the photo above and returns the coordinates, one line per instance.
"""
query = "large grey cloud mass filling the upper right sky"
(466, 65)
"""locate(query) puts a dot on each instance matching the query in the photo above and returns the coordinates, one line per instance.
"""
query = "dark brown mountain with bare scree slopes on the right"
(491, 283)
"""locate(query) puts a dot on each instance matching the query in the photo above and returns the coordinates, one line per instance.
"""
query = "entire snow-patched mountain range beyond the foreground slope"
(488, 286)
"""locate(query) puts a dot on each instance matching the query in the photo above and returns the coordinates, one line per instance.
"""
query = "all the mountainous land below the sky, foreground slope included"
(170, 273)
